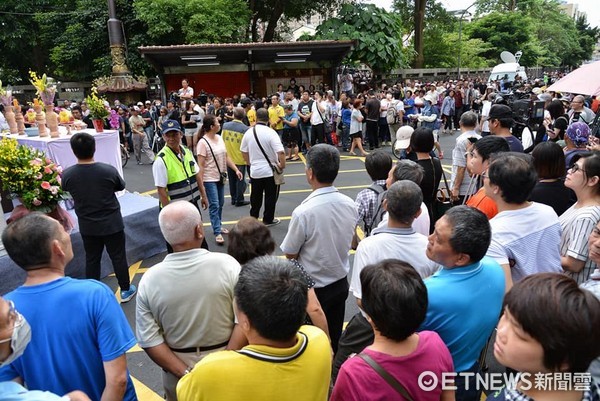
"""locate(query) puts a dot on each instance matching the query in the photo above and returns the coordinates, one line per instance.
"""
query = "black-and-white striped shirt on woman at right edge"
(577, 225)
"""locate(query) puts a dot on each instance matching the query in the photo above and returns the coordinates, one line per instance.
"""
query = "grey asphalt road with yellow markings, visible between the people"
(351, 179)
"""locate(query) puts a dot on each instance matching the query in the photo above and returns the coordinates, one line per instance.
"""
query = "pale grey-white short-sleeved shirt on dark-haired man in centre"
(320, 232)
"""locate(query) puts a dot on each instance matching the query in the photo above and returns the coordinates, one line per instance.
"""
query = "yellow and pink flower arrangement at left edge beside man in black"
(30, 176)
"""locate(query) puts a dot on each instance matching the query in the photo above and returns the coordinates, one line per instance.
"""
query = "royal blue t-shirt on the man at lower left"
(76, 325)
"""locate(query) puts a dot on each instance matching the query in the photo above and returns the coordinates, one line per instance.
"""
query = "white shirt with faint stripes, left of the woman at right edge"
(527, 239)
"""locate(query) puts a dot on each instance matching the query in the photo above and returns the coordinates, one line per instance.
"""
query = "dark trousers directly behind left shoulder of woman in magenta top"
(357, 336)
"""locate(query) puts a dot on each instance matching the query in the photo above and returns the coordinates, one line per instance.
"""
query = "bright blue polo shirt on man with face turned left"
(464, 308)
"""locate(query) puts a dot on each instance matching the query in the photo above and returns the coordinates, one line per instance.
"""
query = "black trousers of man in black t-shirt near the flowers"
(115, 246)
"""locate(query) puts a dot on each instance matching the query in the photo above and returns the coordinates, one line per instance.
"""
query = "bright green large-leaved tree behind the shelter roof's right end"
(377, 32)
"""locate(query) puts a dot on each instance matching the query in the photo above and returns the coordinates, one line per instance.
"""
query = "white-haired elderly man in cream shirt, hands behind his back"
(184, 307)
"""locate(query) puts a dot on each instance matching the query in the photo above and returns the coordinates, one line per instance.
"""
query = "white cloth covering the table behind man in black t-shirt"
(59, 149)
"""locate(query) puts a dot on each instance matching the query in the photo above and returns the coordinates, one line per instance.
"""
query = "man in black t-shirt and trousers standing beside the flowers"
(92, 186)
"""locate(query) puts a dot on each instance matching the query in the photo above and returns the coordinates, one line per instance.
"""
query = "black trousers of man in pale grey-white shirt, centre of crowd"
(332, 298)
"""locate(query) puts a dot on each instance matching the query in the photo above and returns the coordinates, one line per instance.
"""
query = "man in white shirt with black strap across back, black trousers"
(261, 169)
